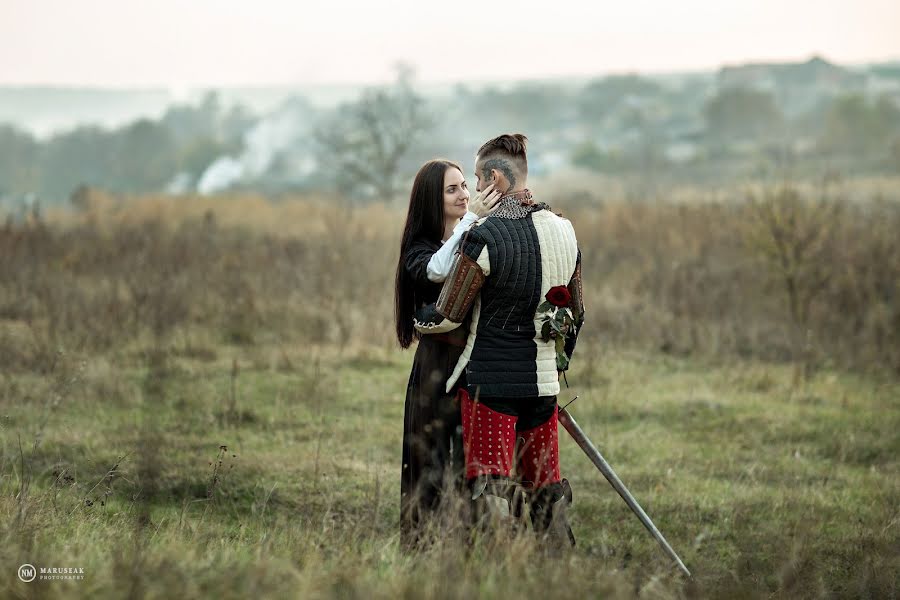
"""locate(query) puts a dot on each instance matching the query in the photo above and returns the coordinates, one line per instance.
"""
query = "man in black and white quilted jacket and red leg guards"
(507, 263)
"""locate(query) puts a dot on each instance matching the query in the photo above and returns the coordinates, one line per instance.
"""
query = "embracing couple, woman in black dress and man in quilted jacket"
(479, 284)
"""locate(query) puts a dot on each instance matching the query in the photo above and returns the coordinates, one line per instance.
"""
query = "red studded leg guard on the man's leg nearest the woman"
(489, 438)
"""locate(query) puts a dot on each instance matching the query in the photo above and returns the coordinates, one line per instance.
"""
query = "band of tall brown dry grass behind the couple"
(684, 278)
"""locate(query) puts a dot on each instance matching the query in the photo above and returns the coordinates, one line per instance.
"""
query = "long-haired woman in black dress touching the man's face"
(438, 216)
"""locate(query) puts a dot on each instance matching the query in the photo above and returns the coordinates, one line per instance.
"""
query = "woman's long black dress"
(432, 428)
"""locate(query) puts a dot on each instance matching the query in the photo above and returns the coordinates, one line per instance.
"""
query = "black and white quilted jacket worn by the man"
(506, 264)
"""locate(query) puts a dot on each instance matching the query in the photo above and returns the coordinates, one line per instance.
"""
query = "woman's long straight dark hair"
(424, 220)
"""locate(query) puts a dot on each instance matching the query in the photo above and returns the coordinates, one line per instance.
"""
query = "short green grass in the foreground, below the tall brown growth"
(273, 471)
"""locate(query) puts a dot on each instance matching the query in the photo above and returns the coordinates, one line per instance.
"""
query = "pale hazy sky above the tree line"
(189, 43)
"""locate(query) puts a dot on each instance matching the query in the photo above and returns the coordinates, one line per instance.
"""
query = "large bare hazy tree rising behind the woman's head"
(364, 143)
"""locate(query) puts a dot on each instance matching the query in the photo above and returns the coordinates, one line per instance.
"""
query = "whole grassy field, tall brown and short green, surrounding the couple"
(206, 396)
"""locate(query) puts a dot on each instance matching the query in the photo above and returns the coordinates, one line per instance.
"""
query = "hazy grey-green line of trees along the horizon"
(367, 146)
